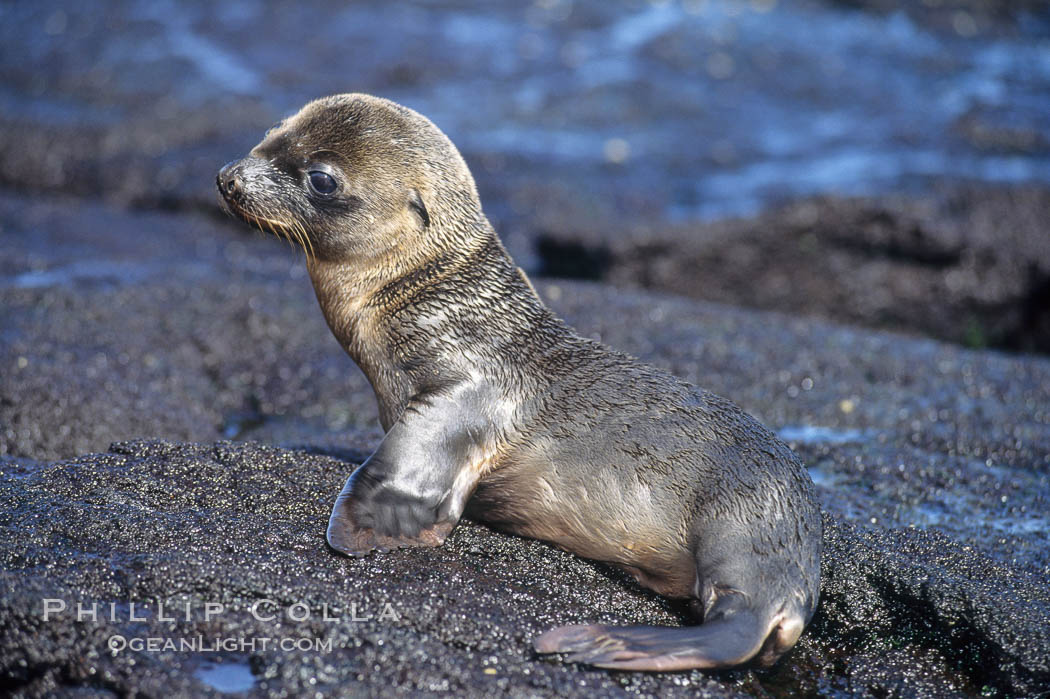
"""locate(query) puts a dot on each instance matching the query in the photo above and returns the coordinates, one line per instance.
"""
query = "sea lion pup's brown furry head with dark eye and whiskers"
(355, 179)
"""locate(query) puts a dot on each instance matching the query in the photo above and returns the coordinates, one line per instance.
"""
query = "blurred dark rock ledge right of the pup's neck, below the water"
(971, 266)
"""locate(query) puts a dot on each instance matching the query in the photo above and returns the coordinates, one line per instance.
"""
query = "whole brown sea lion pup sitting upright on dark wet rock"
(497, 410)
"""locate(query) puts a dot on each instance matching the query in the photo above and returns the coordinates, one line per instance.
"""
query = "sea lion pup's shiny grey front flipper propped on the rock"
(412, 491)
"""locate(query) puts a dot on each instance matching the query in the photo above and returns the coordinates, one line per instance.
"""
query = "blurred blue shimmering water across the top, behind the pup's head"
(691, 111)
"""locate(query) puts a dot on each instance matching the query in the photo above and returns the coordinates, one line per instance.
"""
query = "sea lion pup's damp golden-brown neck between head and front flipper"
(405, 329)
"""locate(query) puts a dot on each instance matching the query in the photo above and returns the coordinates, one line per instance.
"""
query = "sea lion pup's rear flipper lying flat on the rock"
(732, 634)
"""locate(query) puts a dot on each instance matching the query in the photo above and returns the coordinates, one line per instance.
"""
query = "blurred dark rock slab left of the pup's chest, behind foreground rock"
(161, 325)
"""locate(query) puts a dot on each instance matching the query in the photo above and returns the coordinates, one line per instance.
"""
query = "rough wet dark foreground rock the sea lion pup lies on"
(166, 526)
